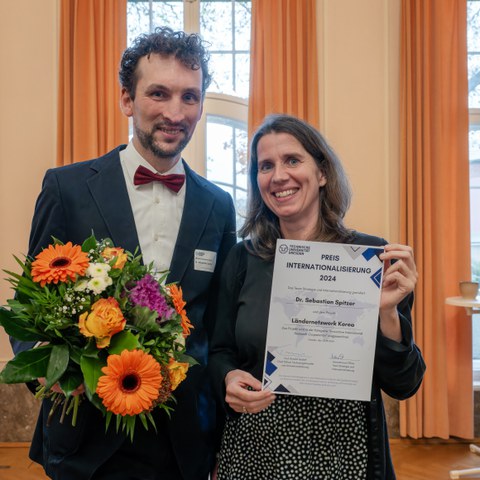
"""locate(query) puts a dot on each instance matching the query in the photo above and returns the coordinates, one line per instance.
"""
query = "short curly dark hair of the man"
(188, 48)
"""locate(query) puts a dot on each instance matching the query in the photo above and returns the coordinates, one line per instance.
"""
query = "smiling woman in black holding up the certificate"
(299, 191)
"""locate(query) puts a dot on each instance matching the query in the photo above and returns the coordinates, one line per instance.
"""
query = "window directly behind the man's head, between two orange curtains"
(218, 149)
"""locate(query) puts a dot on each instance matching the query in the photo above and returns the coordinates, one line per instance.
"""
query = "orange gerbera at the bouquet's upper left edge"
(59, 263)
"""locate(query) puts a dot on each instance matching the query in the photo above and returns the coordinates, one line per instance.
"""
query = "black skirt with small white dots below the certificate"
(297, 438)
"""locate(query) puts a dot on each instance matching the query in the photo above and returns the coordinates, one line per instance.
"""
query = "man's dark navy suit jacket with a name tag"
(91, 196)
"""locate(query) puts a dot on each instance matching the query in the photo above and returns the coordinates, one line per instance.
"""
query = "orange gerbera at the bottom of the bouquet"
(130, 383)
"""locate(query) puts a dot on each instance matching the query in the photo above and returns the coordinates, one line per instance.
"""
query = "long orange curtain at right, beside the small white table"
(435, 220)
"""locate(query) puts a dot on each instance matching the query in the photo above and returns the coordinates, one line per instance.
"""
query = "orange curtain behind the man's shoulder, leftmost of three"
(92, 37)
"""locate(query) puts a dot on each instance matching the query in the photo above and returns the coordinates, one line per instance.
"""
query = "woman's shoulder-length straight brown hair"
(261, 224)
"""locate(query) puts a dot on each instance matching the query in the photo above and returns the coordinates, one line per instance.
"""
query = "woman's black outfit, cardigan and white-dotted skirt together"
(301, 437)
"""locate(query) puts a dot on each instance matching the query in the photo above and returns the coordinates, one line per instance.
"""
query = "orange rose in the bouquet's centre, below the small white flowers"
(104, 321)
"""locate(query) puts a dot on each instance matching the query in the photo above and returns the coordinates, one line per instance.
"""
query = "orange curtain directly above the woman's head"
(284, 65)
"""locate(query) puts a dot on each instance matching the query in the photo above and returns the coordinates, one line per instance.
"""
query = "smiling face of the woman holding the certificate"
(289, 181)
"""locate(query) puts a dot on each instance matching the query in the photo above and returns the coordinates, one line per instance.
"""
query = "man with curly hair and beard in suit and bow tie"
(164, 77)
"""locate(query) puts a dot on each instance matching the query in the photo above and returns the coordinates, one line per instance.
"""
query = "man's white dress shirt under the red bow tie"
(157, 210)
